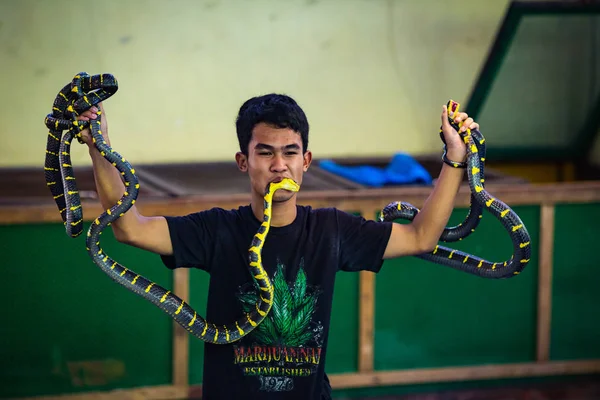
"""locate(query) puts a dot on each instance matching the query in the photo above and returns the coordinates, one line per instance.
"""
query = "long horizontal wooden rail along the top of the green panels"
(23, 211)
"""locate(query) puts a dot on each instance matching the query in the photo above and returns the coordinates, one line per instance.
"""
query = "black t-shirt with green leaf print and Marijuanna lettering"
(284, 356)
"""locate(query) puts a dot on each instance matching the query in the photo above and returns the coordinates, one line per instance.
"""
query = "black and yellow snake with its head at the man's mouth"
(79, 95)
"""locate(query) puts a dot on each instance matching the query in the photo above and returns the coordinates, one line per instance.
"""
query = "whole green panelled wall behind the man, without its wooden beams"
(68, 328)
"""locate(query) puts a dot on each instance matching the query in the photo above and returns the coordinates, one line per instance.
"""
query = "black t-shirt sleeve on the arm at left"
(193, 239)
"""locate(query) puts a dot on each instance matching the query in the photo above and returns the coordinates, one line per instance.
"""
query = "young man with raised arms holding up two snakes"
(285, 356)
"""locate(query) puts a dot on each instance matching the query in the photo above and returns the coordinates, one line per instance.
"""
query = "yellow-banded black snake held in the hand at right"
(480, 200)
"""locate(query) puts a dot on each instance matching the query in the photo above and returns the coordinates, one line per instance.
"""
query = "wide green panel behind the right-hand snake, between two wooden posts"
(434, 316)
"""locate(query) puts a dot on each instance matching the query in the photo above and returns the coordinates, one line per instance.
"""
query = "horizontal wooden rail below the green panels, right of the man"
(457, 374)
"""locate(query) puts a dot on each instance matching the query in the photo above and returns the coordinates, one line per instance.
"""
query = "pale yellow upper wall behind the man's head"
(372, 75)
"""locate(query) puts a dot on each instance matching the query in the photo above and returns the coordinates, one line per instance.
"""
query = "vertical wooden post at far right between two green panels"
(544, 306)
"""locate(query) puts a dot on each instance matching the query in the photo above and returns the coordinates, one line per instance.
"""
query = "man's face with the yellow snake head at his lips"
(274, 154)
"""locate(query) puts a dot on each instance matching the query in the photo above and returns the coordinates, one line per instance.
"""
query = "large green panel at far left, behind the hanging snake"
(66, 326)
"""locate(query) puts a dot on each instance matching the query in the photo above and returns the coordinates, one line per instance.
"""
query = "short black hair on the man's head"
(277, 110)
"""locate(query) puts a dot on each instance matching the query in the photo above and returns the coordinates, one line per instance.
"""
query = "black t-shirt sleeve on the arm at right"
(362, 242)
